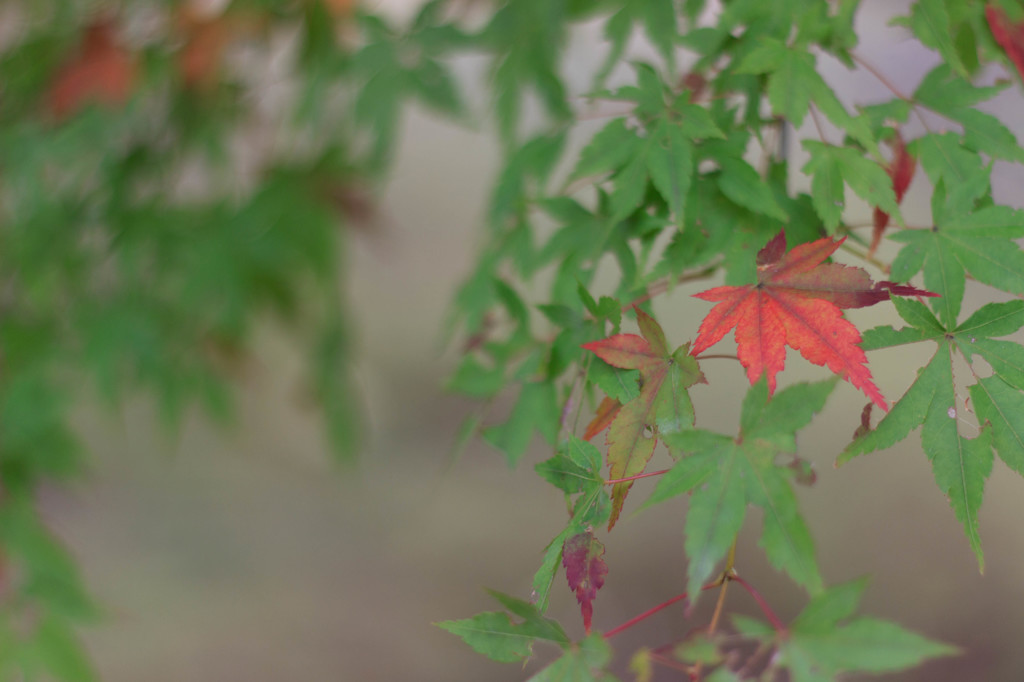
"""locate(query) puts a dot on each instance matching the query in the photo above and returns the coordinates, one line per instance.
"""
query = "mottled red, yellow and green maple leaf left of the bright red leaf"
(662, 407)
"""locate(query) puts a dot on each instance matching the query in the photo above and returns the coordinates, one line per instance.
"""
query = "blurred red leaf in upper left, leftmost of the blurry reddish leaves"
(103, 72)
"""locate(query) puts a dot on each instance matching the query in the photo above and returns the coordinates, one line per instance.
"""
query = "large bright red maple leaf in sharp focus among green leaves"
(796, 303)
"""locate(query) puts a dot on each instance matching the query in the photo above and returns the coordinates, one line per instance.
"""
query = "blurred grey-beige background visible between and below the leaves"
(241, 549)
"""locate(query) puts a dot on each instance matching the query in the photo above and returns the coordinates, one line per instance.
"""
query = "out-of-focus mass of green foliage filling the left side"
(170, 180)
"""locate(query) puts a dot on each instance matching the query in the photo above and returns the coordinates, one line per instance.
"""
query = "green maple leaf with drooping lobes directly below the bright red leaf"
(724, 475)
